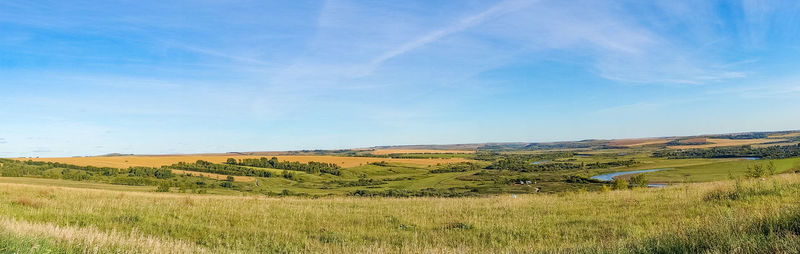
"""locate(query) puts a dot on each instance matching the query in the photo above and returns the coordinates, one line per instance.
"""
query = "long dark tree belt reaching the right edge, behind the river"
(770, 152)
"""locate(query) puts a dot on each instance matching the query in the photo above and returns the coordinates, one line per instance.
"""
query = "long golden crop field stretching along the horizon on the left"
(158, 161)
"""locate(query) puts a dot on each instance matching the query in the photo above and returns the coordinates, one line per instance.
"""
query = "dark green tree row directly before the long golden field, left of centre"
(311, 167)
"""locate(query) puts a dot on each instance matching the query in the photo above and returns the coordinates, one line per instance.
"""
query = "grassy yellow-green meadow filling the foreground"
(731, 216)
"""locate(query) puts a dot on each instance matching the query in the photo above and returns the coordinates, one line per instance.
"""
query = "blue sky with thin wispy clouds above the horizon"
(155, 77)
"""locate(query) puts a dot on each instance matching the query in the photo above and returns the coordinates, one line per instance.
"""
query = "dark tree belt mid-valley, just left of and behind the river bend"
(514, 164)
